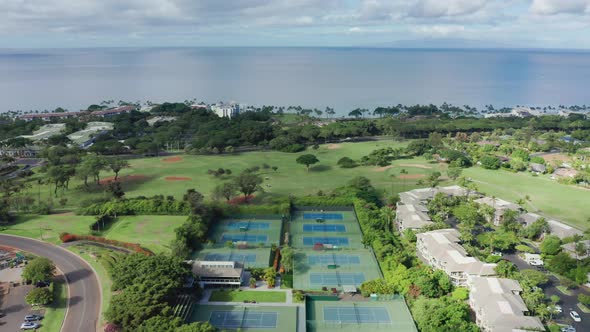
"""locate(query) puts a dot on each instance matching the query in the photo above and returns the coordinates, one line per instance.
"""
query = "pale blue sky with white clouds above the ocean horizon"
(482, 23)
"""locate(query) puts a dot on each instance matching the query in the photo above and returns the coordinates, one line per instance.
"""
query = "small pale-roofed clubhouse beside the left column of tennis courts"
(218, 273)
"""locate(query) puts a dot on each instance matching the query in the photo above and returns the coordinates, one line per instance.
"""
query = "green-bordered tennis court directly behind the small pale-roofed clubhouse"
(250, 258)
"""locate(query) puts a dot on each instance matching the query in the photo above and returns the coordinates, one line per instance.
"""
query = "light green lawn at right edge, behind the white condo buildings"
(548, 197)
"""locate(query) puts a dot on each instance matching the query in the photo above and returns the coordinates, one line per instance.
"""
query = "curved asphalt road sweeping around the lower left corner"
(84, 290)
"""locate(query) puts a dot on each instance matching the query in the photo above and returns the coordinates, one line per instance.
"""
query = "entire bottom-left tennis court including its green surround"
(247, 318)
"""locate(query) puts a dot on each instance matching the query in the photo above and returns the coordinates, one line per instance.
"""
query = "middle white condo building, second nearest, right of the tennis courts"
(441, 250)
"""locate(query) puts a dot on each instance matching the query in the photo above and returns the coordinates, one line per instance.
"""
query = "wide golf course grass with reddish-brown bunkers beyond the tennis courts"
(148, 176)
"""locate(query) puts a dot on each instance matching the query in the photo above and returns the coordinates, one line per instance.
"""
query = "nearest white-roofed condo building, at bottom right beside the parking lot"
(498, 306)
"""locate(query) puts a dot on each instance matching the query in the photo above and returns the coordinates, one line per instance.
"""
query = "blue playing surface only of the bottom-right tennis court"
(355, 314)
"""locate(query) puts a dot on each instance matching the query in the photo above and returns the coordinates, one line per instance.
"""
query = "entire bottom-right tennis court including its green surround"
(329, 314)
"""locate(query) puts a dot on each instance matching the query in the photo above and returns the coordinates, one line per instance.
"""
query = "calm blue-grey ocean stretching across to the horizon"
(342, 78)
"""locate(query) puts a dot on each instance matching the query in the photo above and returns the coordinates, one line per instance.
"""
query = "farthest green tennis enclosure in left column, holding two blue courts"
(251, 230)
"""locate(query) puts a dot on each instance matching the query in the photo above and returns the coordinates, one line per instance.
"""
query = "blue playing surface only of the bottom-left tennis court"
(244, 319)
